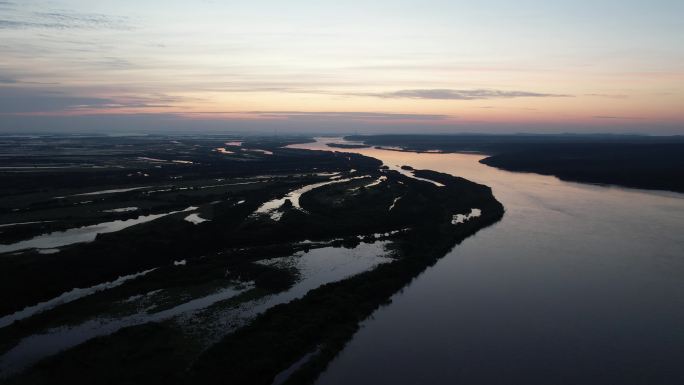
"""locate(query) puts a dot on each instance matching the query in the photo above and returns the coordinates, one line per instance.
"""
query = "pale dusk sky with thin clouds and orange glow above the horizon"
(382, 66)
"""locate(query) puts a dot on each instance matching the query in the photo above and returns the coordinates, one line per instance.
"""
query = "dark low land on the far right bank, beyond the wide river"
(631, 161)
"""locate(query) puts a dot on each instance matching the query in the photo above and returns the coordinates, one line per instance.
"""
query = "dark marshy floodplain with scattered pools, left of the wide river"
(214, 289)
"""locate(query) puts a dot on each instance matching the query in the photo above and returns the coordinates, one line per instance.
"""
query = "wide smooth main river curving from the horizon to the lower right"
(578, 284)
